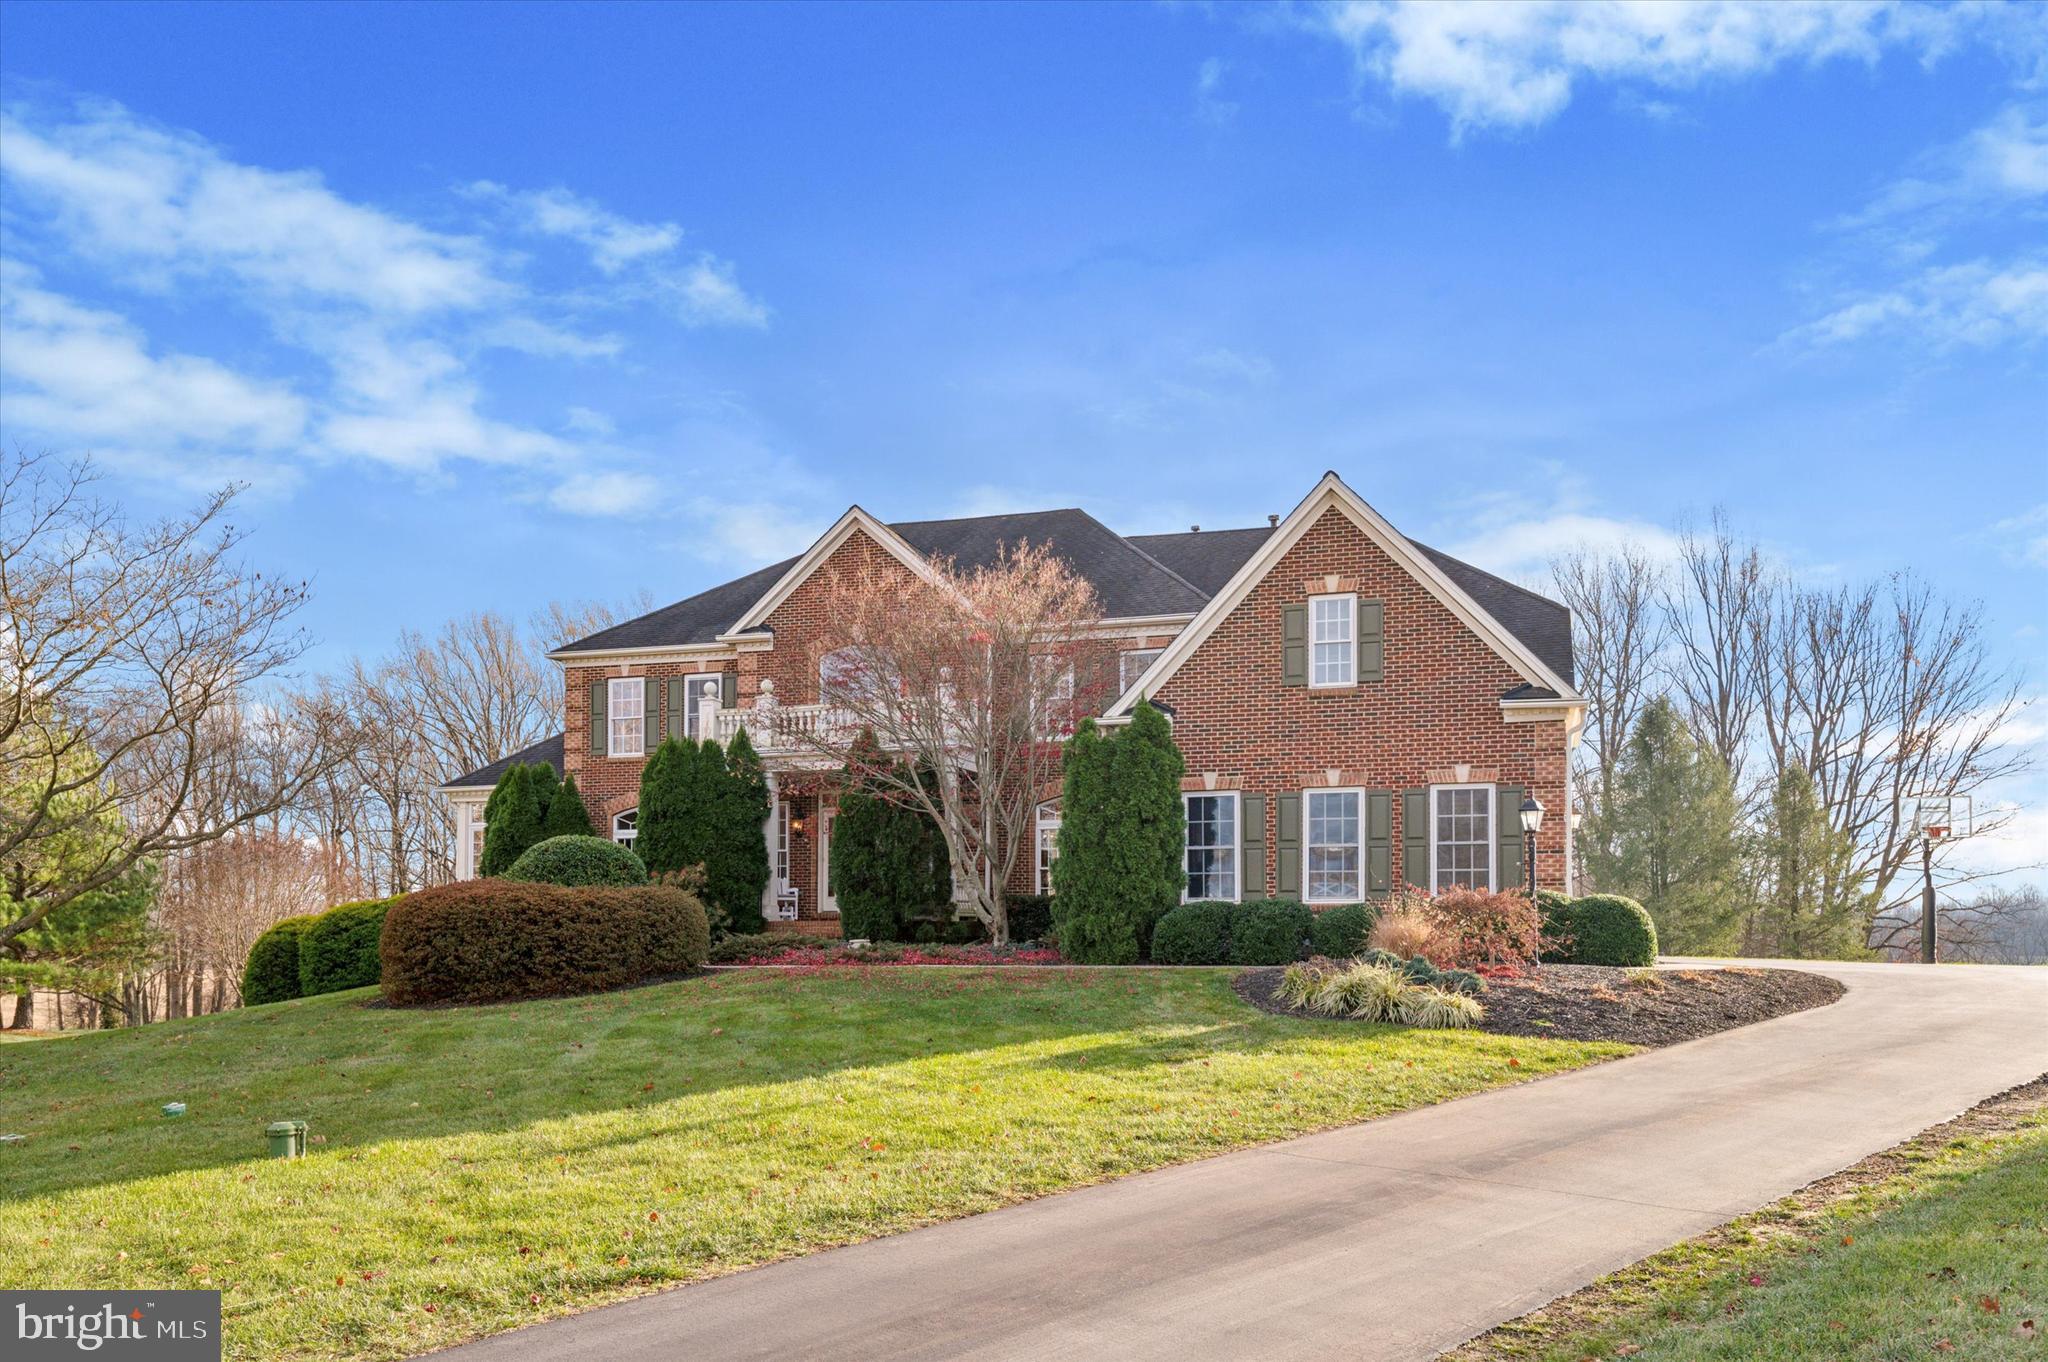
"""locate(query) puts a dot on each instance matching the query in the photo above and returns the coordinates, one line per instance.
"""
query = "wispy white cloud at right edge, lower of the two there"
(1951, 306)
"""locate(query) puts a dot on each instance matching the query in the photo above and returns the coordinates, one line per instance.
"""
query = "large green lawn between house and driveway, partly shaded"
(493, 1166)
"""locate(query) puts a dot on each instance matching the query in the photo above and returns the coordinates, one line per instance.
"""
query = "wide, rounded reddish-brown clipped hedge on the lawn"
(490, 939)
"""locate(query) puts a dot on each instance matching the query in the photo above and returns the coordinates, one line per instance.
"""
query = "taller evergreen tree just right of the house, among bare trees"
(1670, 837)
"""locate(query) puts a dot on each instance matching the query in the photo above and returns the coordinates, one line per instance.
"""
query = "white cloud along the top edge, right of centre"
(1517, 62)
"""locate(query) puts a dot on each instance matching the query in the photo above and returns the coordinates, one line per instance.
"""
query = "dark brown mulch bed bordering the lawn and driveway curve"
(1637, 1007)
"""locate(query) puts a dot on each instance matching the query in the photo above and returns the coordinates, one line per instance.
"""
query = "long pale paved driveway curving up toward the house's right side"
(1390, 1240)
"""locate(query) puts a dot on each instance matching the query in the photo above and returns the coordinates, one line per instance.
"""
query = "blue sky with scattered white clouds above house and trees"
(507, 304)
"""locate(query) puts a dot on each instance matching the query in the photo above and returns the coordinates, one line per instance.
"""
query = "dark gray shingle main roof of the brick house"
(1140, 574)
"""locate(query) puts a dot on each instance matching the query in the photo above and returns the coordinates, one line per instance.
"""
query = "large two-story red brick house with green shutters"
(1357, 712)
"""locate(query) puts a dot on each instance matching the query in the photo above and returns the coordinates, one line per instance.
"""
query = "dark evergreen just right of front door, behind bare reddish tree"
(888, 859)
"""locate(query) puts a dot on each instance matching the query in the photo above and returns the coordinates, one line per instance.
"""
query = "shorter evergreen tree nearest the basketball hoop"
(1809, 900)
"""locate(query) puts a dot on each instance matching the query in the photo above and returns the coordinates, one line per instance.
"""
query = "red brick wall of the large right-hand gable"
(1437, 710)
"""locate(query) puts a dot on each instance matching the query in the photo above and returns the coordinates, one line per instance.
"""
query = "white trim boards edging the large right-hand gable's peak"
(1334, 495)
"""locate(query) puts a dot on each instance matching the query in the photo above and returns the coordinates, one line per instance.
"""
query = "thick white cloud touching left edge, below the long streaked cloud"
(93, 376)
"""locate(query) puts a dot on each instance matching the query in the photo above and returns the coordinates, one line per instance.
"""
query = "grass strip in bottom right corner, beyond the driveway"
(1947, 1261)
